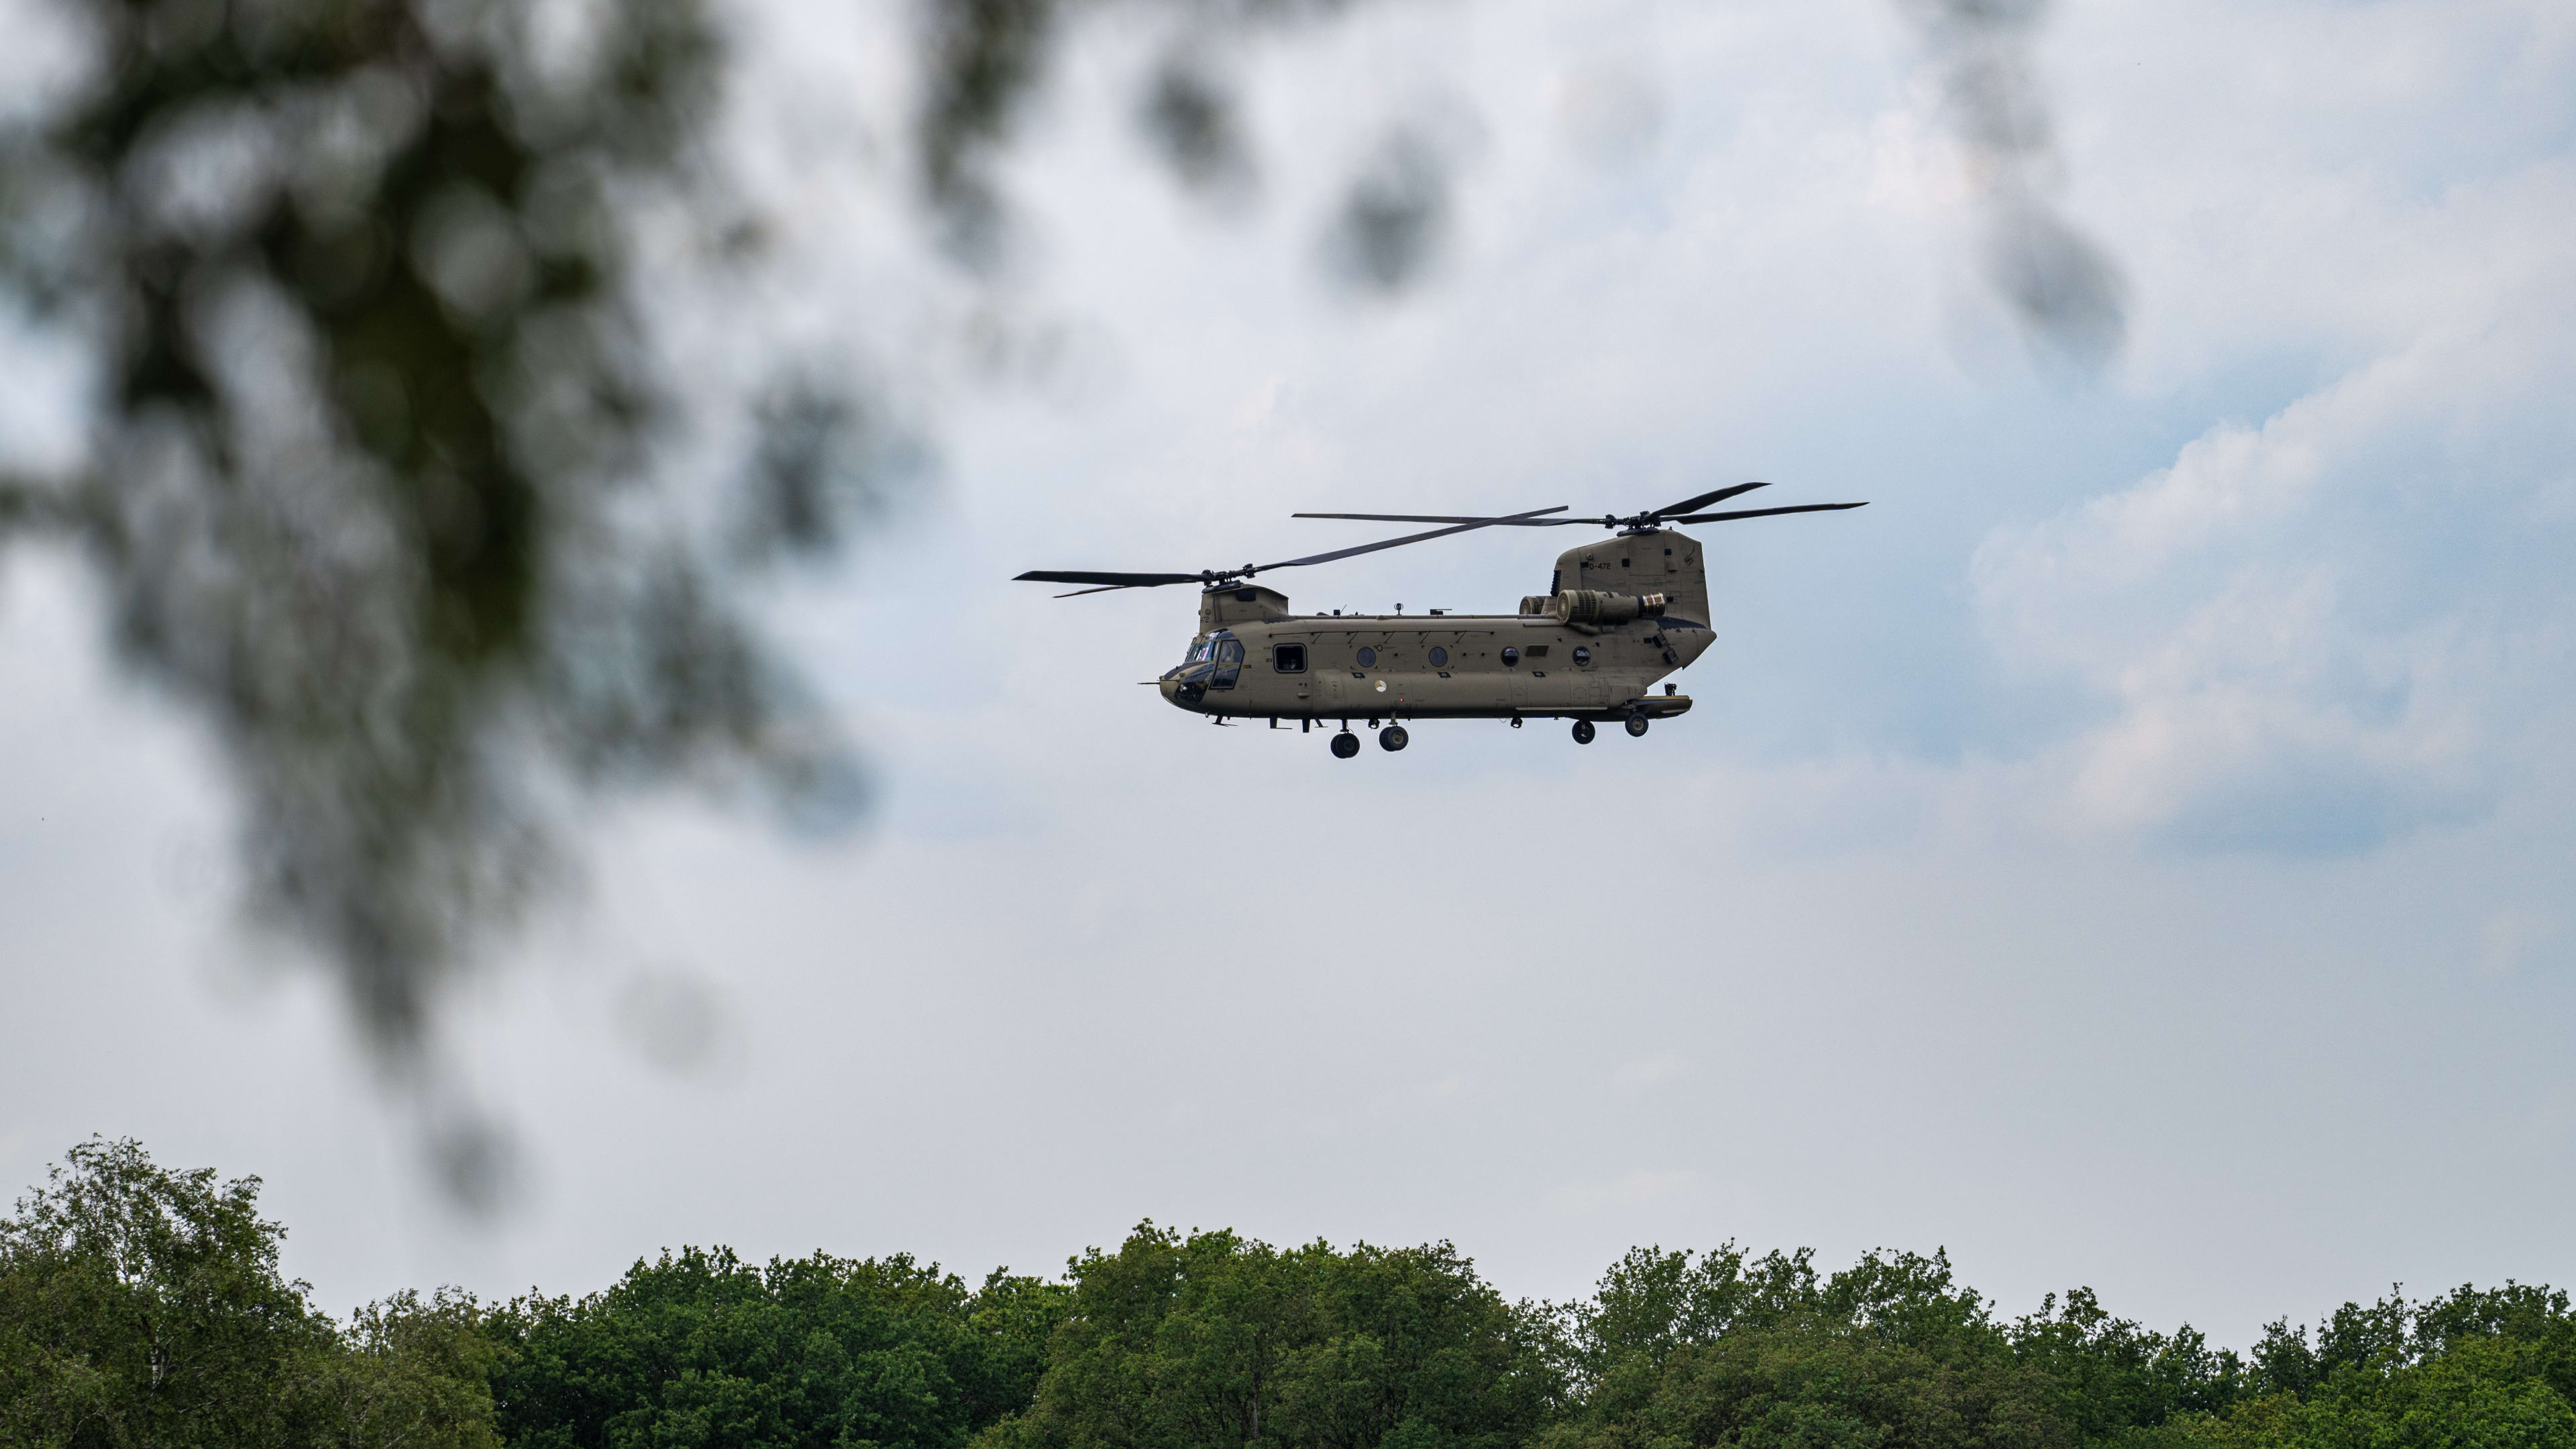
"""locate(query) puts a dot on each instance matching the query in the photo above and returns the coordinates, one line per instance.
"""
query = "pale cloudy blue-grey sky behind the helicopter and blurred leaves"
(2134, 852)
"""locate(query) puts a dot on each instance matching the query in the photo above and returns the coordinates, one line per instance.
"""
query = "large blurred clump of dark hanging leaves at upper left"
(372, 471)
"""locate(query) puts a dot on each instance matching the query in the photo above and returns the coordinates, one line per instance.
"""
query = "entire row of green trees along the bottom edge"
(146, 1306)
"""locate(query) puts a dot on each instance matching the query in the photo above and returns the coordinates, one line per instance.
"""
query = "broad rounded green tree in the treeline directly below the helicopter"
(1215, 1339)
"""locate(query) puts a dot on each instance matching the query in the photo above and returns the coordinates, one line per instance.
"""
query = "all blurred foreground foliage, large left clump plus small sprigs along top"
(390, 481)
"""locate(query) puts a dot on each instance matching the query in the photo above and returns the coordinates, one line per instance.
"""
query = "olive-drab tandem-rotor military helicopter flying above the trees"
(1616, 620)
